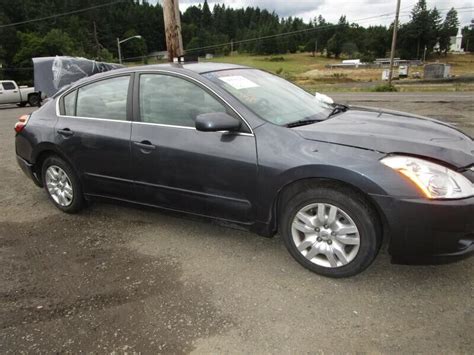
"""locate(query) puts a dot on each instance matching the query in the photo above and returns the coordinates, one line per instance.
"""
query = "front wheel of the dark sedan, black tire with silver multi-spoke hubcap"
(329, 255)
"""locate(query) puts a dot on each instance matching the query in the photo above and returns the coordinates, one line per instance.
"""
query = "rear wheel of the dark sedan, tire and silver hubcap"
(72, 199)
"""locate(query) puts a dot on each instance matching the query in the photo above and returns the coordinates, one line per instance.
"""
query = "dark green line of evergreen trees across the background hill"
(93, 33)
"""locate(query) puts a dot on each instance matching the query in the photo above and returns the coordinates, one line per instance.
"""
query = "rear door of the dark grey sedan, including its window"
(93, 131)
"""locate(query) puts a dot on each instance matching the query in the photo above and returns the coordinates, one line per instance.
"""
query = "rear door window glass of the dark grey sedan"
(104, 99)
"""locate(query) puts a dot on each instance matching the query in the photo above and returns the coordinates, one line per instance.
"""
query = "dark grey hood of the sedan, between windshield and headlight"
(394, 132)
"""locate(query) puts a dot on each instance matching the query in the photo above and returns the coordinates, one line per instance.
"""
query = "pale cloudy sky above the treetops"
(355, 10)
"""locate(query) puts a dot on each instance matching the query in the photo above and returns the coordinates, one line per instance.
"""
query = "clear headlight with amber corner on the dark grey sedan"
(435, 181)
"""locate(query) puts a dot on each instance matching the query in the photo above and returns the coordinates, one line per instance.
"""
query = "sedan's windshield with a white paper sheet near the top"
(272, 98)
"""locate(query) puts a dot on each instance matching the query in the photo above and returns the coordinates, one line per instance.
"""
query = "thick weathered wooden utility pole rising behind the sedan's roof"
(174, 41)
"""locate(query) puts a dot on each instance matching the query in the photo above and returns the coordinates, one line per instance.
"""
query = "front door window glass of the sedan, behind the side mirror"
(174, 101)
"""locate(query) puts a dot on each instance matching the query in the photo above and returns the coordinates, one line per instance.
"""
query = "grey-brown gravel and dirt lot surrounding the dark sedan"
(129, 279)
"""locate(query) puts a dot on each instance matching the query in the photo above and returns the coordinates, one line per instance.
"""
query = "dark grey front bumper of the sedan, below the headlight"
(426, 231)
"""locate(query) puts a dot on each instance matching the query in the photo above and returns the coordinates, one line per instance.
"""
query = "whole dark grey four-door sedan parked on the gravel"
(244, 146)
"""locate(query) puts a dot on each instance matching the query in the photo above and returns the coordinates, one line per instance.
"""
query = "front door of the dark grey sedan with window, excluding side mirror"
(180, 168)
